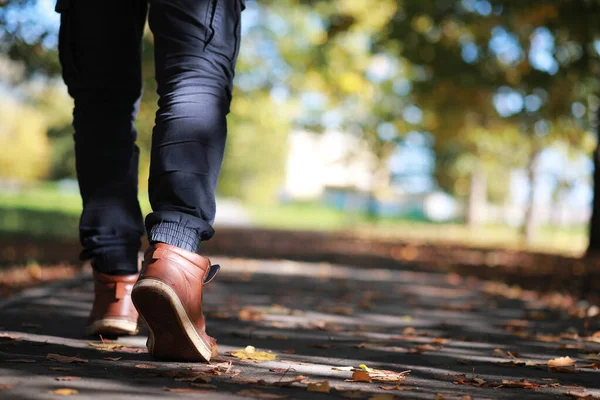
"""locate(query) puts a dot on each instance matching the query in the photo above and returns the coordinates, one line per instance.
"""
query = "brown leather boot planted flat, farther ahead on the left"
(113, 312)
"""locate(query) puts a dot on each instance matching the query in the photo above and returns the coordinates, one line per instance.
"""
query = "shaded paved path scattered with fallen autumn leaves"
(454, 337)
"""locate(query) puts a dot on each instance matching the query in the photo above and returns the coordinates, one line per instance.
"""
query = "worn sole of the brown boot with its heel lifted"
(172, 335)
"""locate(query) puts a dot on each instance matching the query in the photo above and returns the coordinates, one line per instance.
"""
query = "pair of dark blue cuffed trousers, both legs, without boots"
(196, 43)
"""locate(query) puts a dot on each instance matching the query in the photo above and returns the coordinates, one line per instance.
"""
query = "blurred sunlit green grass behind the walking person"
(49, 210)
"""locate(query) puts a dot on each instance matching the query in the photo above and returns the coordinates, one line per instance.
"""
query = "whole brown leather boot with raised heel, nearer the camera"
(168, 296)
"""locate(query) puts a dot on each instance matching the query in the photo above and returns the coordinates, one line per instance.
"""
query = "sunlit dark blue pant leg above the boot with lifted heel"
(196, 47)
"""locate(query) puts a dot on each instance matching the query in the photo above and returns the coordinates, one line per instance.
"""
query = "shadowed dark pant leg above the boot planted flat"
(100, 54)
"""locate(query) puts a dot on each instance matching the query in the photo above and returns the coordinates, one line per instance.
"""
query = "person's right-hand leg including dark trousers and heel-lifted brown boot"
(196, 46)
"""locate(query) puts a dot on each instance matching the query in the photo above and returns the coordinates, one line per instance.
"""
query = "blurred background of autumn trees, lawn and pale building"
(455, 121)
